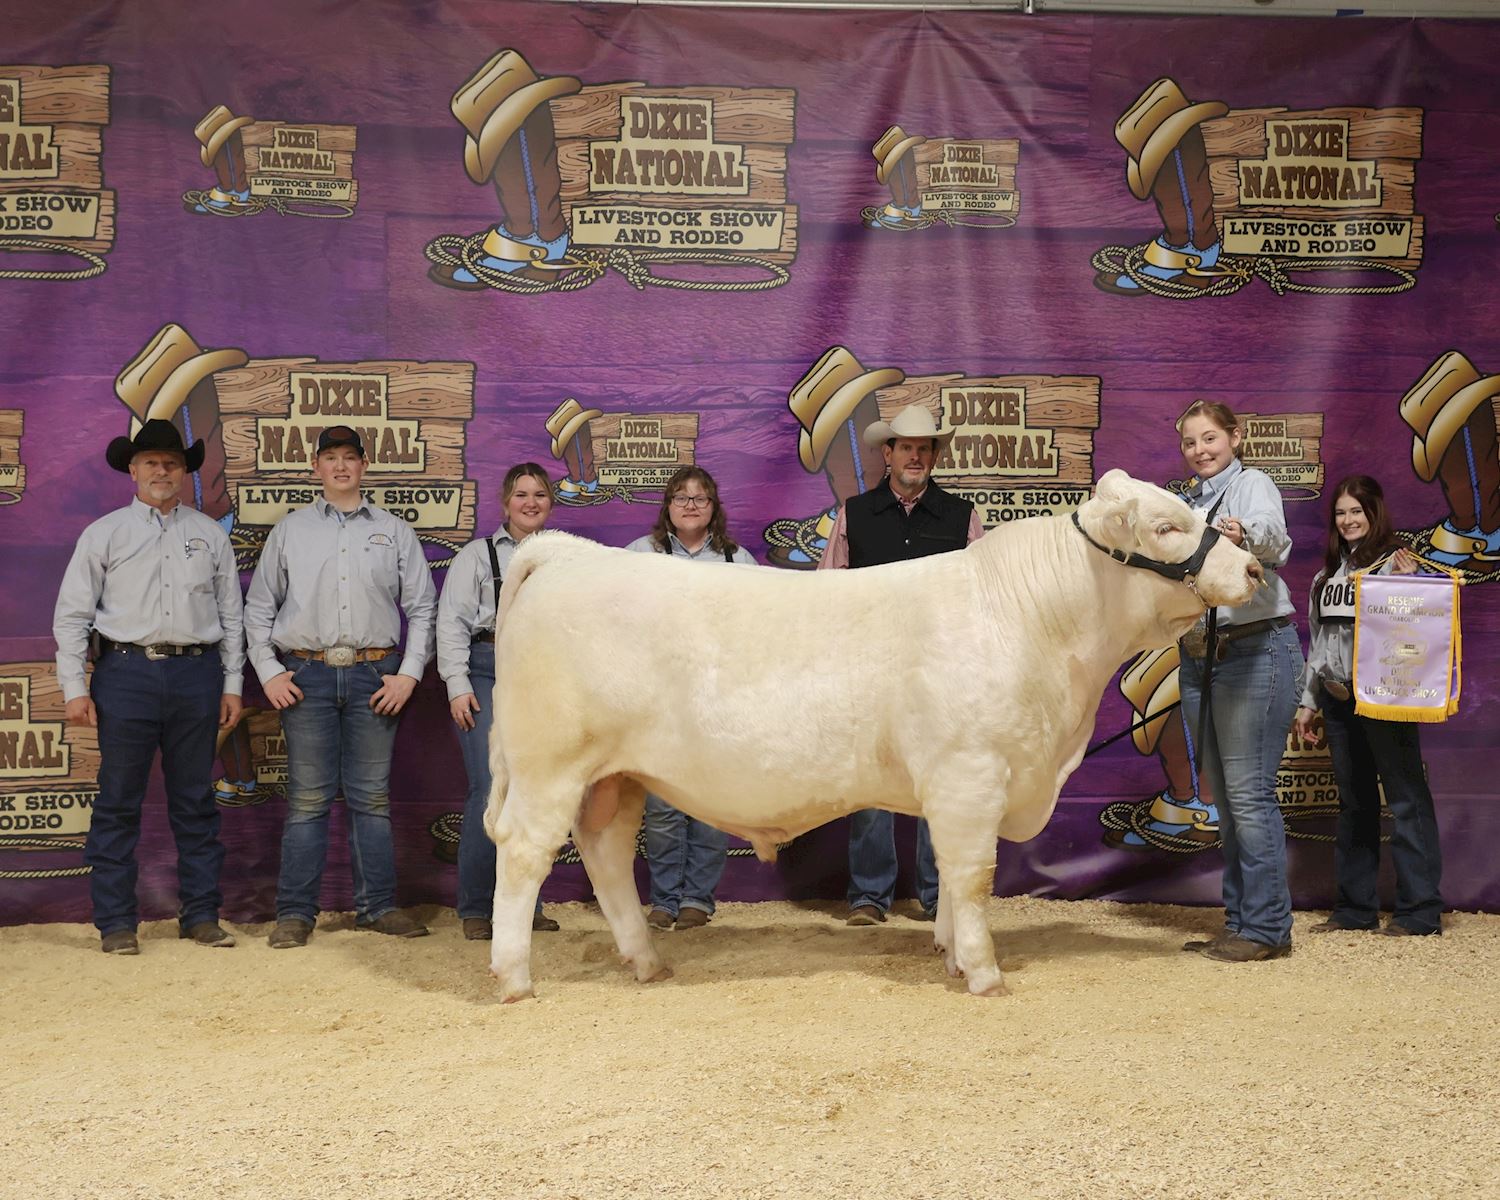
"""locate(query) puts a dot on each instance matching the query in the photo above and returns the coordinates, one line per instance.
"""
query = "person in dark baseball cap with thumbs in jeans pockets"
(323, 620)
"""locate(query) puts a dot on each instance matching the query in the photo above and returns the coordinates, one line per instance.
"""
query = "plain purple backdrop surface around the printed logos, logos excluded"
(973, 302)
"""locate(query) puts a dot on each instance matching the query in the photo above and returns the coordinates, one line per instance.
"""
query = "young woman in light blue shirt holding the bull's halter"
(1256, 665)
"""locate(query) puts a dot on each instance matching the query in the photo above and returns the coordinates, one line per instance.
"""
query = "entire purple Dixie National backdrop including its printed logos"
(628, 239)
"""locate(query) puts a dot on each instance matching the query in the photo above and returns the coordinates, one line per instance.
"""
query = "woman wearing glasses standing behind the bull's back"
(686, 856)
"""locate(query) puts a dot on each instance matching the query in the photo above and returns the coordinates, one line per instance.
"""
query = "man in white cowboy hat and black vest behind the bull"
(910, 517)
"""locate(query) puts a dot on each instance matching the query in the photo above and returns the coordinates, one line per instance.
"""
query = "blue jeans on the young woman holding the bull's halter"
(1255, 698)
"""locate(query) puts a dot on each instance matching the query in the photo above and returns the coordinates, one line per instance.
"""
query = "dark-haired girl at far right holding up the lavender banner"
(1364, 749)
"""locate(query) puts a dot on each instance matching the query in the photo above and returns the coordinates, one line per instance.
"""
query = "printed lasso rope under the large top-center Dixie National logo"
(587, 266)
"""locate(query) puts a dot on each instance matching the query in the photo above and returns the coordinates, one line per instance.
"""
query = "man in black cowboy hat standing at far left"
(157, 583)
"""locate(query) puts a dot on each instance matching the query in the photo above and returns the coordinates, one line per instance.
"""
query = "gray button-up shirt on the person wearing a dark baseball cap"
(329, 578)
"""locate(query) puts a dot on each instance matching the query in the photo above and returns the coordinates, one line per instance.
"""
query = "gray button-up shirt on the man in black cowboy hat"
(140, 577)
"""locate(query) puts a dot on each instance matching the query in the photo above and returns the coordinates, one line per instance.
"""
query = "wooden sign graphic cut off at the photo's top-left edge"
(52, 146)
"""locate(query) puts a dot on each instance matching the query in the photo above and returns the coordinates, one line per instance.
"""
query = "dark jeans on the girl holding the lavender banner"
(1366, 751)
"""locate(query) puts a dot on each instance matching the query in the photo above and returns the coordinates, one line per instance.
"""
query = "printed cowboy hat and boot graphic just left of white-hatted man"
(833, 403)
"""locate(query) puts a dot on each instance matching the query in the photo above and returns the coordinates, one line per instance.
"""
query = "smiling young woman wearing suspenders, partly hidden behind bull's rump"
(467, 665)
